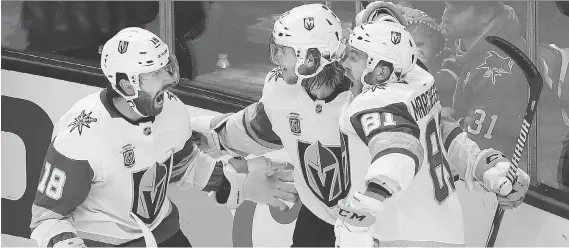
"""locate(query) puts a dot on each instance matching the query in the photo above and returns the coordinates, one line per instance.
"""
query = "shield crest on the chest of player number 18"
(150, 188)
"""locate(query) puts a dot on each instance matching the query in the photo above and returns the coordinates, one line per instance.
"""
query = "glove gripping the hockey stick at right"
(492, 167)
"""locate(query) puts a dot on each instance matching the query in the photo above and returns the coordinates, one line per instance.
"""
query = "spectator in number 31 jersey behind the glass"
(491, 93)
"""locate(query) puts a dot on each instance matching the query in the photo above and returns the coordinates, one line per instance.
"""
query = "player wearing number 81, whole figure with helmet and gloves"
(394, 128)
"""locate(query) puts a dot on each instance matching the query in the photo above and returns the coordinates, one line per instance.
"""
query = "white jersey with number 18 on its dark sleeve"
(101, 167)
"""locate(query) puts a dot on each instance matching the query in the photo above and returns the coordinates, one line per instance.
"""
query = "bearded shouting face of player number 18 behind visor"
(152, 87)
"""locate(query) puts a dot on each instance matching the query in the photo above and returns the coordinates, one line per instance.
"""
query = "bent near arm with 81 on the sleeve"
(392, 136)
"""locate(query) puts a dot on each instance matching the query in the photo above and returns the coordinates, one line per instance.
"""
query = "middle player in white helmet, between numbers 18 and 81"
(299, 110)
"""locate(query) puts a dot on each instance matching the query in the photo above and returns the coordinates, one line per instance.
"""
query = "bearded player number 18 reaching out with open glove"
(107, 171)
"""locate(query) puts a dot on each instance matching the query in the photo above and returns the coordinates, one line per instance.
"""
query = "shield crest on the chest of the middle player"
(324, 171)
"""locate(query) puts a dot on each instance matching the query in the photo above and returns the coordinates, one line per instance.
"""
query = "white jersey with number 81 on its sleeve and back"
(396, 133)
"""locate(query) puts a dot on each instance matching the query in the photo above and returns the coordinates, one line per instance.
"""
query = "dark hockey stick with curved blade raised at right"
(535, 82)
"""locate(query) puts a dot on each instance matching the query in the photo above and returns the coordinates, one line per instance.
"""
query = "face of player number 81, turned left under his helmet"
(354, 63)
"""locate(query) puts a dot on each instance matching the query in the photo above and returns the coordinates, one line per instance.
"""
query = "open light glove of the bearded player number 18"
(260, 180)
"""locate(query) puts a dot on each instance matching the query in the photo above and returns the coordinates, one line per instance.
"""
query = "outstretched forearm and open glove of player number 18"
(261, 180)
